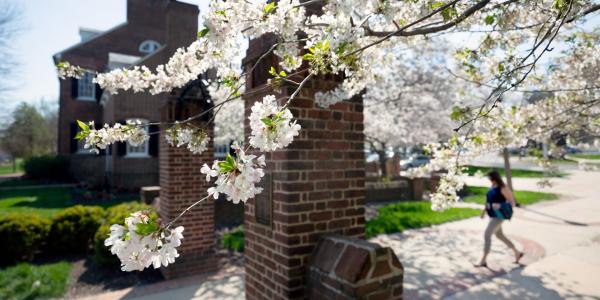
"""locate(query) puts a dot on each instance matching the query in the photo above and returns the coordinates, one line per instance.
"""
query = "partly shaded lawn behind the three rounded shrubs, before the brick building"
(42, 201)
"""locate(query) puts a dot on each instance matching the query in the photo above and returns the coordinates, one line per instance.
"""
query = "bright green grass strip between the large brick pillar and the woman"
(414, 214)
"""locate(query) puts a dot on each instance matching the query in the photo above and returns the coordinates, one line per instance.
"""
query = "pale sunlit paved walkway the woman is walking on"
(561, 239)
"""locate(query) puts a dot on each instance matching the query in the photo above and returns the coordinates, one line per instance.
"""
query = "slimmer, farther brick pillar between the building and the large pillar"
(182, 184)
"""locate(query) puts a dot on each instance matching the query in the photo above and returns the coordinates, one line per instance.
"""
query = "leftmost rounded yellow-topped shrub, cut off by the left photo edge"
(22, 236)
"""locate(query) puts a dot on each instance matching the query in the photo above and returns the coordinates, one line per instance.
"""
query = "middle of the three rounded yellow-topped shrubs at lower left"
(73, 229)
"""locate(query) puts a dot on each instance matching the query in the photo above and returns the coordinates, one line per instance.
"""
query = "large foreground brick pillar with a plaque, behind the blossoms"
(314, 187)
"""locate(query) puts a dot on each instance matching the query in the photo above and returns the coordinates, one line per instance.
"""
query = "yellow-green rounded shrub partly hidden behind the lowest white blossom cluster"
(114, 215)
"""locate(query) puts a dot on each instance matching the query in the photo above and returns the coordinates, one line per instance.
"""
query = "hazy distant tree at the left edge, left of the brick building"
(28, 134)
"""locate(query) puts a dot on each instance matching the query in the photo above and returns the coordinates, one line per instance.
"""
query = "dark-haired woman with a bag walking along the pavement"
(499, 193)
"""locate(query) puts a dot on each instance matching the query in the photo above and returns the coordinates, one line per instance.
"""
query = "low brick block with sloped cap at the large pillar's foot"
(348, 268)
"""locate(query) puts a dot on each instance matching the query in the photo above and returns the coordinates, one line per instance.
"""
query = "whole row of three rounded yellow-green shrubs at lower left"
(71, 231)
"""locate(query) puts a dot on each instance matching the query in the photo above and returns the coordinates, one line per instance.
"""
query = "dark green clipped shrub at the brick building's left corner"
(47, 167)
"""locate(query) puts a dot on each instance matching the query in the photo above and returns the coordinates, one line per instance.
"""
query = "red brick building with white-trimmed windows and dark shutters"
(154, 29)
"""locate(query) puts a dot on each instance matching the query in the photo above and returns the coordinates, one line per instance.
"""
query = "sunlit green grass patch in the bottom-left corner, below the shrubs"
(29, 281)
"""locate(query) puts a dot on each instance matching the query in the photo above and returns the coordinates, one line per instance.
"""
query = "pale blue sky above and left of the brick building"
(49, 26)
